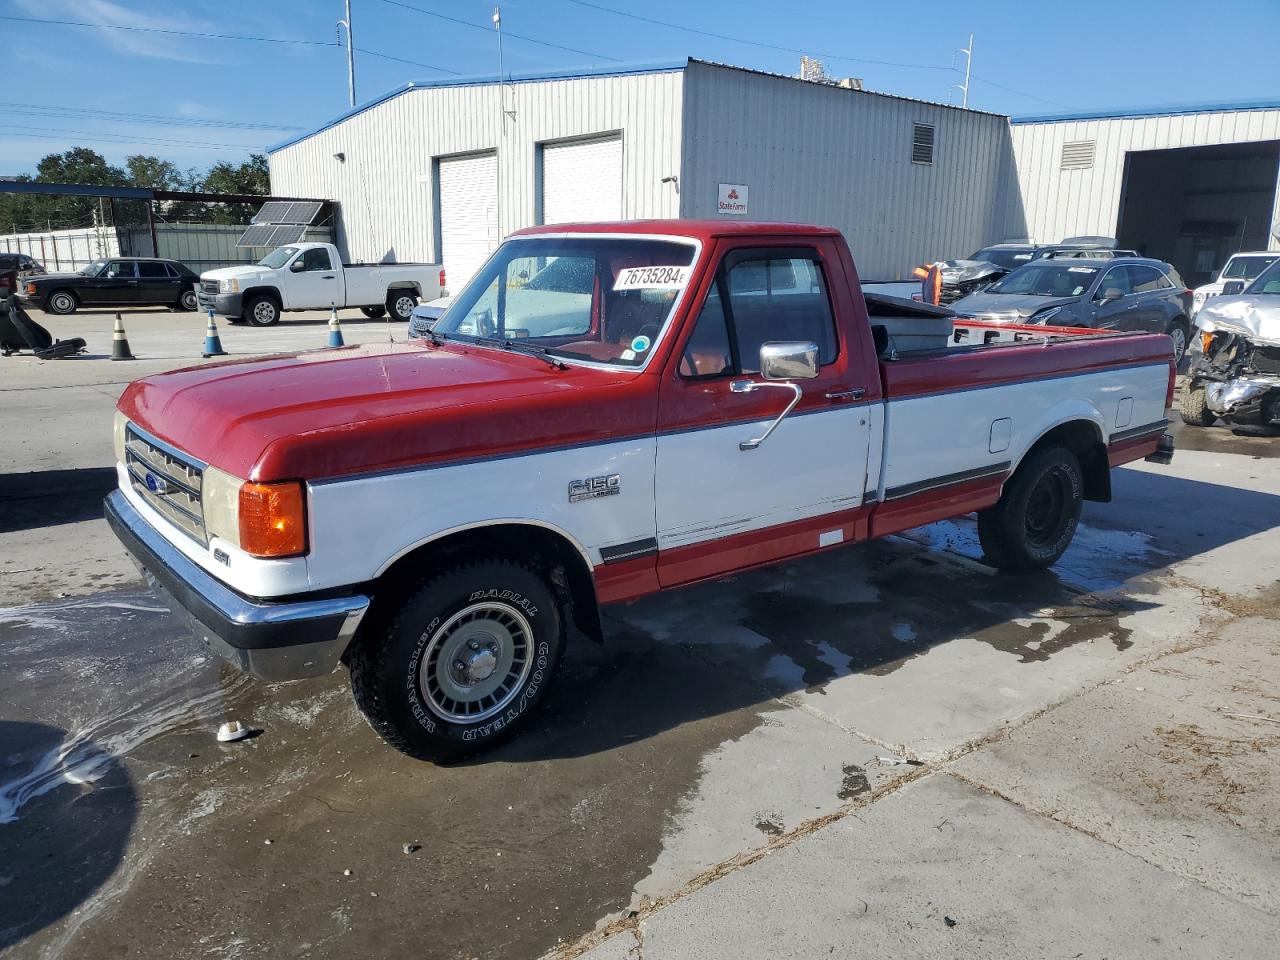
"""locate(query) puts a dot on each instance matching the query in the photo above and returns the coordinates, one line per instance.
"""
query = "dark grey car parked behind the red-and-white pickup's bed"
(1126, 294)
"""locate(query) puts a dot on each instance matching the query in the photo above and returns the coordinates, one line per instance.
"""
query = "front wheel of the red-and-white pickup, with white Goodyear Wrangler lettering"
(463, 662)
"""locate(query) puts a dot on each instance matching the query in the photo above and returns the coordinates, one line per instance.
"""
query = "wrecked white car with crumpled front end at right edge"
(1236, 358)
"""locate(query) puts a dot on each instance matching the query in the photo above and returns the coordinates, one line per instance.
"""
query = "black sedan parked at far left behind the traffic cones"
(116, 282)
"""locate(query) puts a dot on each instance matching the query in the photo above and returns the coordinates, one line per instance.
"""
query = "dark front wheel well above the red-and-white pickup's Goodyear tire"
(566, 563)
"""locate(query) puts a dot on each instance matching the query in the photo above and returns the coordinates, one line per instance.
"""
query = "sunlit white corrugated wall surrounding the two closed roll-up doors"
(386, 185)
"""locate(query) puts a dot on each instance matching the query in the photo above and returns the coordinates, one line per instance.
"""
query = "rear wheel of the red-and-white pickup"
(1036, 518)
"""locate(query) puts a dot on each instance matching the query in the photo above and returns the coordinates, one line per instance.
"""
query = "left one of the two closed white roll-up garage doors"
(469, 216)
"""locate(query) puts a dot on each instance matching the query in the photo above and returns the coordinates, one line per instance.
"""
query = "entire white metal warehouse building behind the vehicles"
(442, 171)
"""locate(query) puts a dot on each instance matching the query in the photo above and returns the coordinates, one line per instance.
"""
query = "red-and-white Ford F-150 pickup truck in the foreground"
(606, 412)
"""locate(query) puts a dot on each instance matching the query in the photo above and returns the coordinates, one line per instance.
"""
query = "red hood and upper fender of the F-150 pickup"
(355, 410)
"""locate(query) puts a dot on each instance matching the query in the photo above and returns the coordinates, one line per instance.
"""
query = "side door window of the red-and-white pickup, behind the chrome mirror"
(770, 299)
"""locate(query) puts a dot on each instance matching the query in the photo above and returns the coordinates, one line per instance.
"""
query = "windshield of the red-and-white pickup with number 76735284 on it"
(597, 299)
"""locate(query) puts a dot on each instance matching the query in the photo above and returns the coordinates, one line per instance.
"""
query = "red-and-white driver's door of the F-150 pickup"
(723, 508)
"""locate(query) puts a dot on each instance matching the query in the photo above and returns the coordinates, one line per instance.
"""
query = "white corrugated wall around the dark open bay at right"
(1087, 202)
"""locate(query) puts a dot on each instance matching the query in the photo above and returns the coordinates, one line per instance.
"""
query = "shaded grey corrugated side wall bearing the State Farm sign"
(835, 157)
